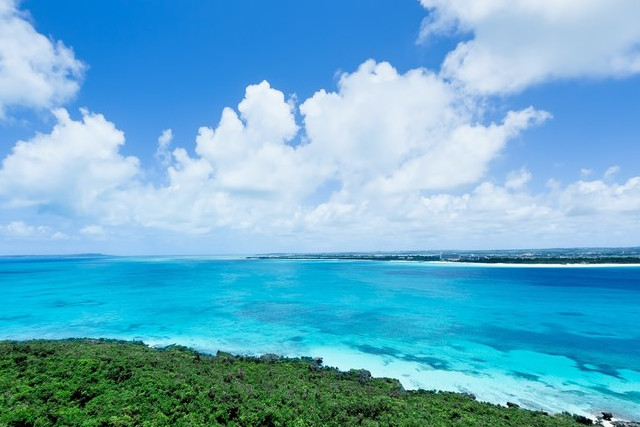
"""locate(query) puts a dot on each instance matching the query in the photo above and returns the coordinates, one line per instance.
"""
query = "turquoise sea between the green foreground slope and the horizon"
(550, 338)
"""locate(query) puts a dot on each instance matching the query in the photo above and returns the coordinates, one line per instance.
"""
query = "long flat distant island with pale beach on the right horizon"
(522, 256)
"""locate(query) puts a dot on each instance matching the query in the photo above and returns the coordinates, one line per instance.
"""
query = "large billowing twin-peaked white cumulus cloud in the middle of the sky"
(380, 136)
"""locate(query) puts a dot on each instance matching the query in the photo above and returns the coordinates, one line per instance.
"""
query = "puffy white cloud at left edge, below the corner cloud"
(69, 171)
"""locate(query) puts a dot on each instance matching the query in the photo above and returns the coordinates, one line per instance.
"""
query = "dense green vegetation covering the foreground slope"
(115, 383)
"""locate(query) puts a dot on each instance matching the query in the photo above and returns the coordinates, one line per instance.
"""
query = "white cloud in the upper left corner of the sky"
(35, 71)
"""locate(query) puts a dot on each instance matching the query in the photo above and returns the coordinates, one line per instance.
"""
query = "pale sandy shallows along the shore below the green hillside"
(492, 386)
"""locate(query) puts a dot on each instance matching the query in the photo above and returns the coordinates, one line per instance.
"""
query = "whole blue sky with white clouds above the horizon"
(217, 127)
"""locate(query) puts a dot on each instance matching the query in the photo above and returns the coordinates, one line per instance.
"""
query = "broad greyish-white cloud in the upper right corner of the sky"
(517, 43)
